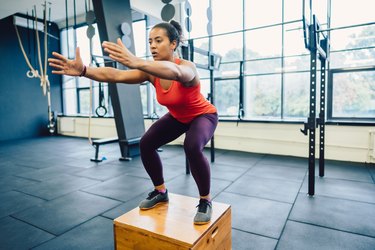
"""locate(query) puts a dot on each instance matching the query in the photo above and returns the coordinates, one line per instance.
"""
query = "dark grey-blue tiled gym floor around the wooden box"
(53, 197)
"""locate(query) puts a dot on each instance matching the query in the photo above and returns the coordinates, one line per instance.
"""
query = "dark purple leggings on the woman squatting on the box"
(166, 129)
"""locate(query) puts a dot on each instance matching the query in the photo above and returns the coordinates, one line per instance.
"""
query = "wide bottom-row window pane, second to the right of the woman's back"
(263, 97)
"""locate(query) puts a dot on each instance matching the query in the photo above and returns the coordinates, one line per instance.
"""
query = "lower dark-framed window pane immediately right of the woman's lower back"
(227, 106)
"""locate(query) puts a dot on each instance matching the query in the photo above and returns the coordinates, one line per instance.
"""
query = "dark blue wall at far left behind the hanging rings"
(23, 107)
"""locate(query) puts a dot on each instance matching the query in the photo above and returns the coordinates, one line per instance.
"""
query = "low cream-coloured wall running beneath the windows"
(344, 143)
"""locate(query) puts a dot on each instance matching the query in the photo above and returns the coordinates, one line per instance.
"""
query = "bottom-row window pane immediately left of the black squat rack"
(296, 95)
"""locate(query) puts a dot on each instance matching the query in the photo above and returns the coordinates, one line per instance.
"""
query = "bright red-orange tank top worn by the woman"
(183, 103)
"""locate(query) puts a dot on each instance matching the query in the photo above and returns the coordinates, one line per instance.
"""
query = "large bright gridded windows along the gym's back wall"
(267, 37)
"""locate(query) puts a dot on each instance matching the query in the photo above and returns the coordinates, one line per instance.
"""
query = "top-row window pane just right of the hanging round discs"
(225, 8)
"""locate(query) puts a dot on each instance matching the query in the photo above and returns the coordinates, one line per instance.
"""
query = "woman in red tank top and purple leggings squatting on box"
(177, 87)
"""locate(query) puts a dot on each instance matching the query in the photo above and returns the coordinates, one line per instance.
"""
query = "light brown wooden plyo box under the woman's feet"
(170, 227)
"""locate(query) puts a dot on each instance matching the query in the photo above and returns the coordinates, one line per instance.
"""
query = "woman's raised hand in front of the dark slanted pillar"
(119, 53)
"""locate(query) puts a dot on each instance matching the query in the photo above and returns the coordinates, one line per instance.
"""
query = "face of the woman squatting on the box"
(160, 46)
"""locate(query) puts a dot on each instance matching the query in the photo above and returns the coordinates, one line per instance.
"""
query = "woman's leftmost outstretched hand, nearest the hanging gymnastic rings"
(64, 66)
